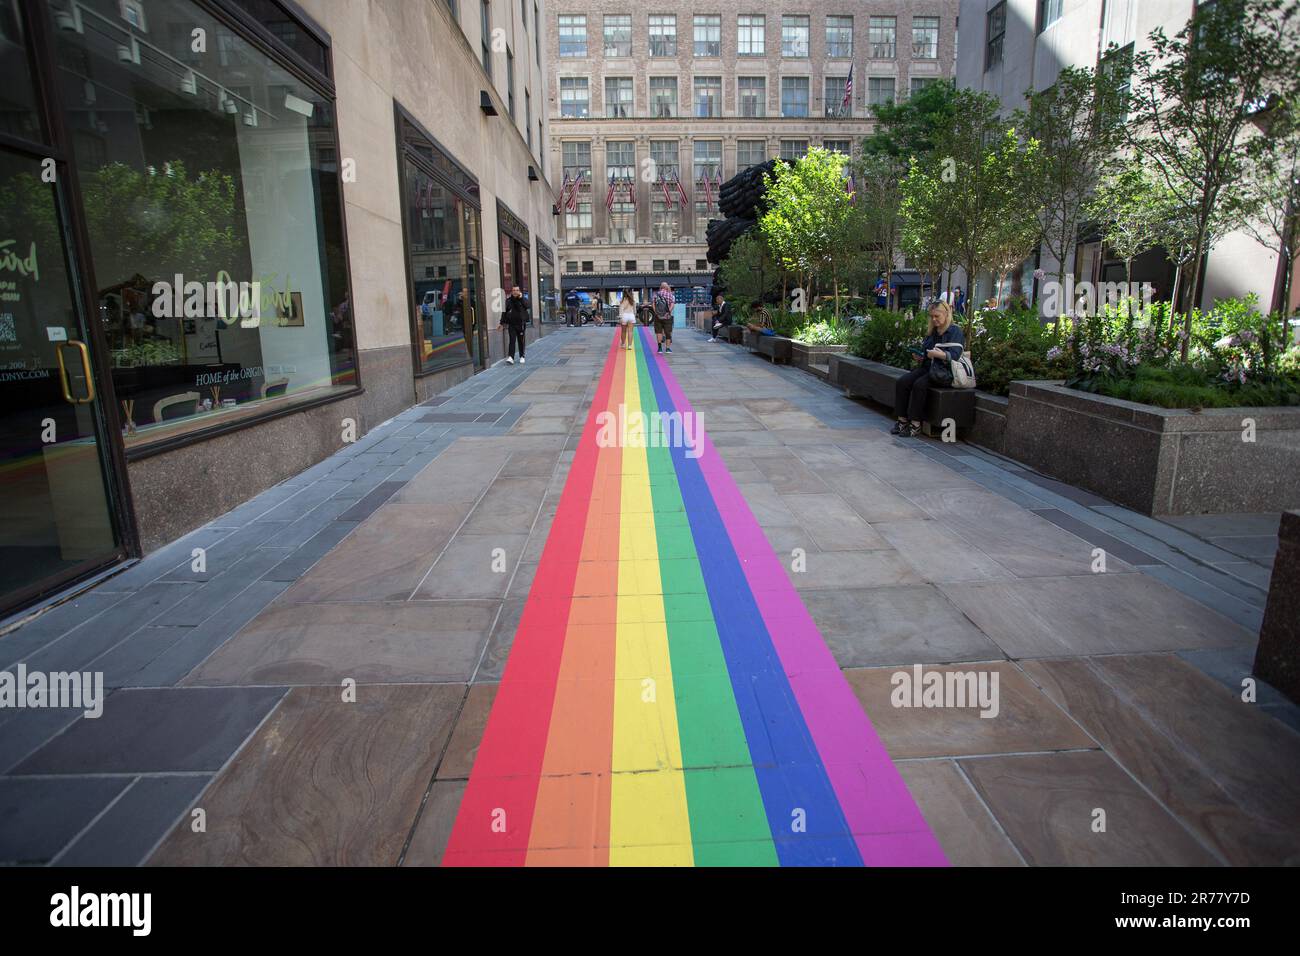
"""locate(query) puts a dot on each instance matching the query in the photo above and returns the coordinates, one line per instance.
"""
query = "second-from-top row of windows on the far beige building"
(707, 97)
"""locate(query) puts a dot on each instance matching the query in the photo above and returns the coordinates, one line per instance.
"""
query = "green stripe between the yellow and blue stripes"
(729, 824)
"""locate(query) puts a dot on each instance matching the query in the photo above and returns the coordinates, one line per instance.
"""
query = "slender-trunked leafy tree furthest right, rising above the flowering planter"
(1193, 103)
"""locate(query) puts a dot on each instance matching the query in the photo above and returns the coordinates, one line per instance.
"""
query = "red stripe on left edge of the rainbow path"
(496, 814)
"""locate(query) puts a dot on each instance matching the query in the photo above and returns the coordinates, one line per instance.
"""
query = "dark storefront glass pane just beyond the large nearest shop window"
(443, 239)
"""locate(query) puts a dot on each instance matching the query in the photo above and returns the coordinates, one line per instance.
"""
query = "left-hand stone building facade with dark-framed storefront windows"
(367, 176)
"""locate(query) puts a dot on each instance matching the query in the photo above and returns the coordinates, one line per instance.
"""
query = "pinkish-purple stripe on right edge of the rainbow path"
(886, 821)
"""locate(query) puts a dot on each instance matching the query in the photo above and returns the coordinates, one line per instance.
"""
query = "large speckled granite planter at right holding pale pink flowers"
(1158, 461)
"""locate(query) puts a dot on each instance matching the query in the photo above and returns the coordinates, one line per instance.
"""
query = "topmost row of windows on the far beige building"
(751, 36)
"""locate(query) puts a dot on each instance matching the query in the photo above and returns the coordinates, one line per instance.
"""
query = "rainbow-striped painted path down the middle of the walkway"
(669, 699)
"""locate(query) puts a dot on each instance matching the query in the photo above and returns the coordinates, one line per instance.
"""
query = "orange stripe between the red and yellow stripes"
(573, 816)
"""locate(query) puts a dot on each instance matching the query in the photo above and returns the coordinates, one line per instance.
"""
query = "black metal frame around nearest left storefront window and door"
(40, 34)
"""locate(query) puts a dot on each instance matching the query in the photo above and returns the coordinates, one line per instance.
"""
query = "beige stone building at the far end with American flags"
(651, 97)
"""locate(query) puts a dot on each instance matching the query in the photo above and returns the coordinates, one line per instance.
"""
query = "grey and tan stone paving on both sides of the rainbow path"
(404, 564)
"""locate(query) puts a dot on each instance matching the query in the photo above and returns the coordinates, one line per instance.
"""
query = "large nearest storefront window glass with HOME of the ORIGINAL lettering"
(210, 185)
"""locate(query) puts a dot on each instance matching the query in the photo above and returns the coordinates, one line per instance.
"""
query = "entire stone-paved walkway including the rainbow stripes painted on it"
(681, 690)
